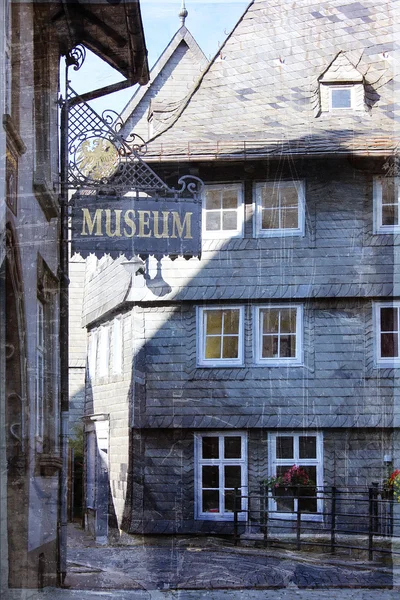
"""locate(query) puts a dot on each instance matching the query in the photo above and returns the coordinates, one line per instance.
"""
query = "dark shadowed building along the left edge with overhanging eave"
(33, 346)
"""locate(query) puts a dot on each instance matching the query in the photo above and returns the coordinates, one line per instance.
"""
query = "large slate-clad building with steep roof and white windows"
(279, 346)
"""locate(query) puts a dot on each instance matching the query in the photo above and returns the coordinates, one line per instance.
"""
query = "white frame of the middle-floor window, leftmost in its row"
(201, 338)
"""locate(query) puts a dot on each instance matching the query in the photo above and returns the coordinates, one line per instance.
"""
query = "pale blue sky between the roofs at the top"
(209, 22)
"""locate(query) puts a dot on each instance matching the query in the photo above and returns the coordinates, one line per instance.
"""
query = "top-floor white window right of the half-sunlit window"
(280, 207)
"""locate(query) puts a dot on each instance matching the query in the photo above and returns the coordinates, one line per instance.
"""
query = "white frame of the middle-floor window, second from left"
(297, 360)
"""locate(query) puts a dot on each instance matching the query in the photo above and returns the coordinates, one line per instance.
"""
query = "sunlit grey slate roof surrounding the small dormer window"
(257, 97)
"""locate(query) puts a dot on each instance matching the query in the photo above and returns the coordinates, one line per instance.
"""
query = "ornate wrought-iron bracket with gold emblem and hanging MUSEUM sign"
(120, 205)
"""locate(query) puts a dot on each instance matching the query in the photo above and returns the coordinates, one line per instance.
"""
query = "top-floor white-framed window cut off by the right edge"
(386, 193)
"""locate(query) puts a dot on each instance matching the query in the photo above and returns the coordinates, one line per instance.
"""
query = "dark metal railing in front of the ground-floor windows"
(352, 518)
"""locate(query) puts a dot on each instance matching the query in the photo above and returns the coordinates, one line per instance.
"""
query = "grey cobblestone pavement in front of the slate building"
(168, 563)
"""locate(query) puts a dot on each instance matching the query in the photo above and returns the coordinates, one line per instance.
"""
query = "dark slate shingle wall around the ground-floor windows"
(163, 494)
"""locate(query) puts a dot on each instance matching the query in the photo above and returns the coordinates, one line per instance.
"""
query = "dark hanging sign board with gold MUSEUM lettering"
(135, 226)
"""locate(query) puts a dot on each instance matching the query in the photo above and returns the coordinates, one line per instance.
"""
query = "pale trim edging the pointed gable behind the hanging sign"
(182, 36)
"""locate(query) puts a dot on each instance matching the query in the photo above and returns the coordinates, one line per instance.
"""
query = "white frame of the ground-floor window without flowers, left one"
(220, 462)
